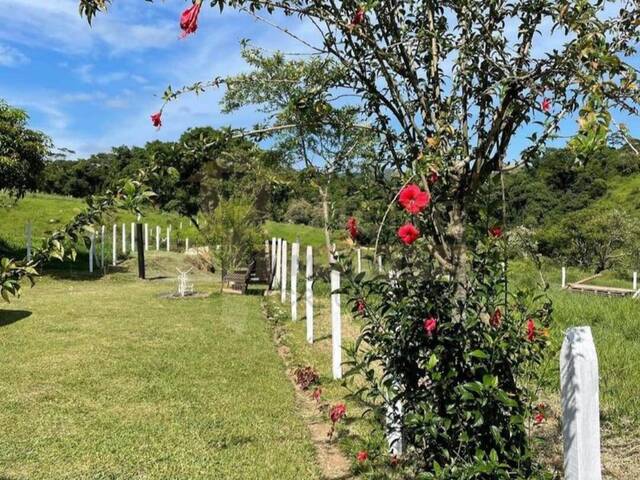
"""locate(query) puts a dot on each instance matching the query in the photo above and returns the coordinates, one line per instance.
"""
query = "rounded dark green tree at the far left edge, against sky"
(22, 151)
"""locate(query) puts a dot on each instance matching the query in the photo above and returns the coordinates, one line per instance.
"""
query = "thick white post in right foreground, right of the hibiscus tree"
(580, 405)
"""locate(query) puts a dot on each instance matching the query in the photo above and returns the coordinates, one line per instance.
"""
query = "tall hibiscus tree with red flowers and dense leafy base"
(447, 86)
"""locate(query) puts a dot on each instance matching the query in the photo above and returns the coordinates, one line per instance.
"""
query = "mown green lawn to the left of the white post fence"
(103, 379)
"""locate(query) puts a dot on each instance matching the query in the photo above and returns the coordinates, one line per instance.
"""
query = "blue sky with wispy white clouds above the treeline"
(94, 88)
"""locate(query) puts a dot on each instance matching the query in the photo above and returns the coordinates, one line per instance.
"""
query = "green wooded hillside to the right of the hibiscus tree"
(586, 213)
